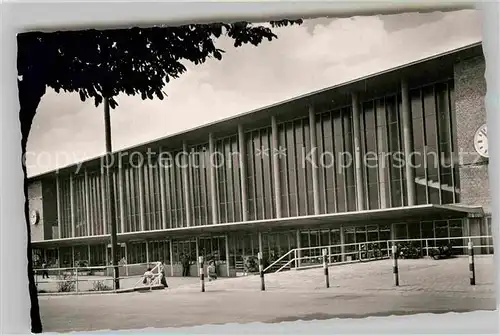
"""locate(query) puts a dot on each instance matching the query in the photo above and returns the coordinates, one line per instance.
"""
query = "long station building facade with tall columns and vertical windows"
(389, 156)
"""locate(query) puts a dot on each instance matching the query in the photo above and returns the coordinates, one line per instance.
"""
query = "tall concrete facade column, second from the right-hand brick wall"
(360, 187)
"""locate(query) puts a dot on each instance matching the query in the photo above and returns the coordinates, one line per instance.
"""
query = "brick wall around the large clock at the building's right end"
(470, 90)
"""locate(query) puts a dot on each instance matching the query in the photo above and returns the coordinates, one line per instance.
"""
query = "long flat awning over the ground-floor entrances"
(420, 212)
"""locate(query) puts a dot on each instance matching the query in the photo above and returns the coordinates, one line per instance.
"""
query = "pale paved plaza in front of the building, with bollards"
(356, 290)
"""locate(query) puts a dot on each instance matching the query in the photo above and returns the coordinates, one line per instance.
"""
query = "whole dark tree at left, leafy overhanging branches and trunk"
(101, 64)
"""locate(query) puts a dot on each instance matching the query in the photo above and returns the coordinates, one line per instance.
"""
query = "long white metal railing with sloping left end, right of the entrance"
(337, 254)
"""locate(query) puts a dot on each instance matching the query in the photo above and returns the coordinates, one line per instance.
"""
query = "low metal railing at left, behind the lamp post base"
(71, 279)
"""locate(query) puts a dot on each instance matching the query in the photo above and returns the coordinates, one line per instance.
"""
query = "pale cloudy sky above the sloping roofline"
(320, 53)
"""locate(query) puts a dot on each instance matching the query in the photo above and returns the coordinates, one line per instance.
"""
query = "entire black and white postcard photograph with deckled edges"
(240, 172)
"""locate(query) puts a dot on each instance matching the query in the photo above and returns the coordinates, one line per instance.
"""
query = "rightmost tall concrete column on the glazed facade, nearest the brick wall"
(408, 144)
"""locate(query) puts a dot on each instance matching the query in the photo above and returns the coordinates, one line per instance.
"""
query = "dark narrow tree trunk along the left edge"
(30, 94)
